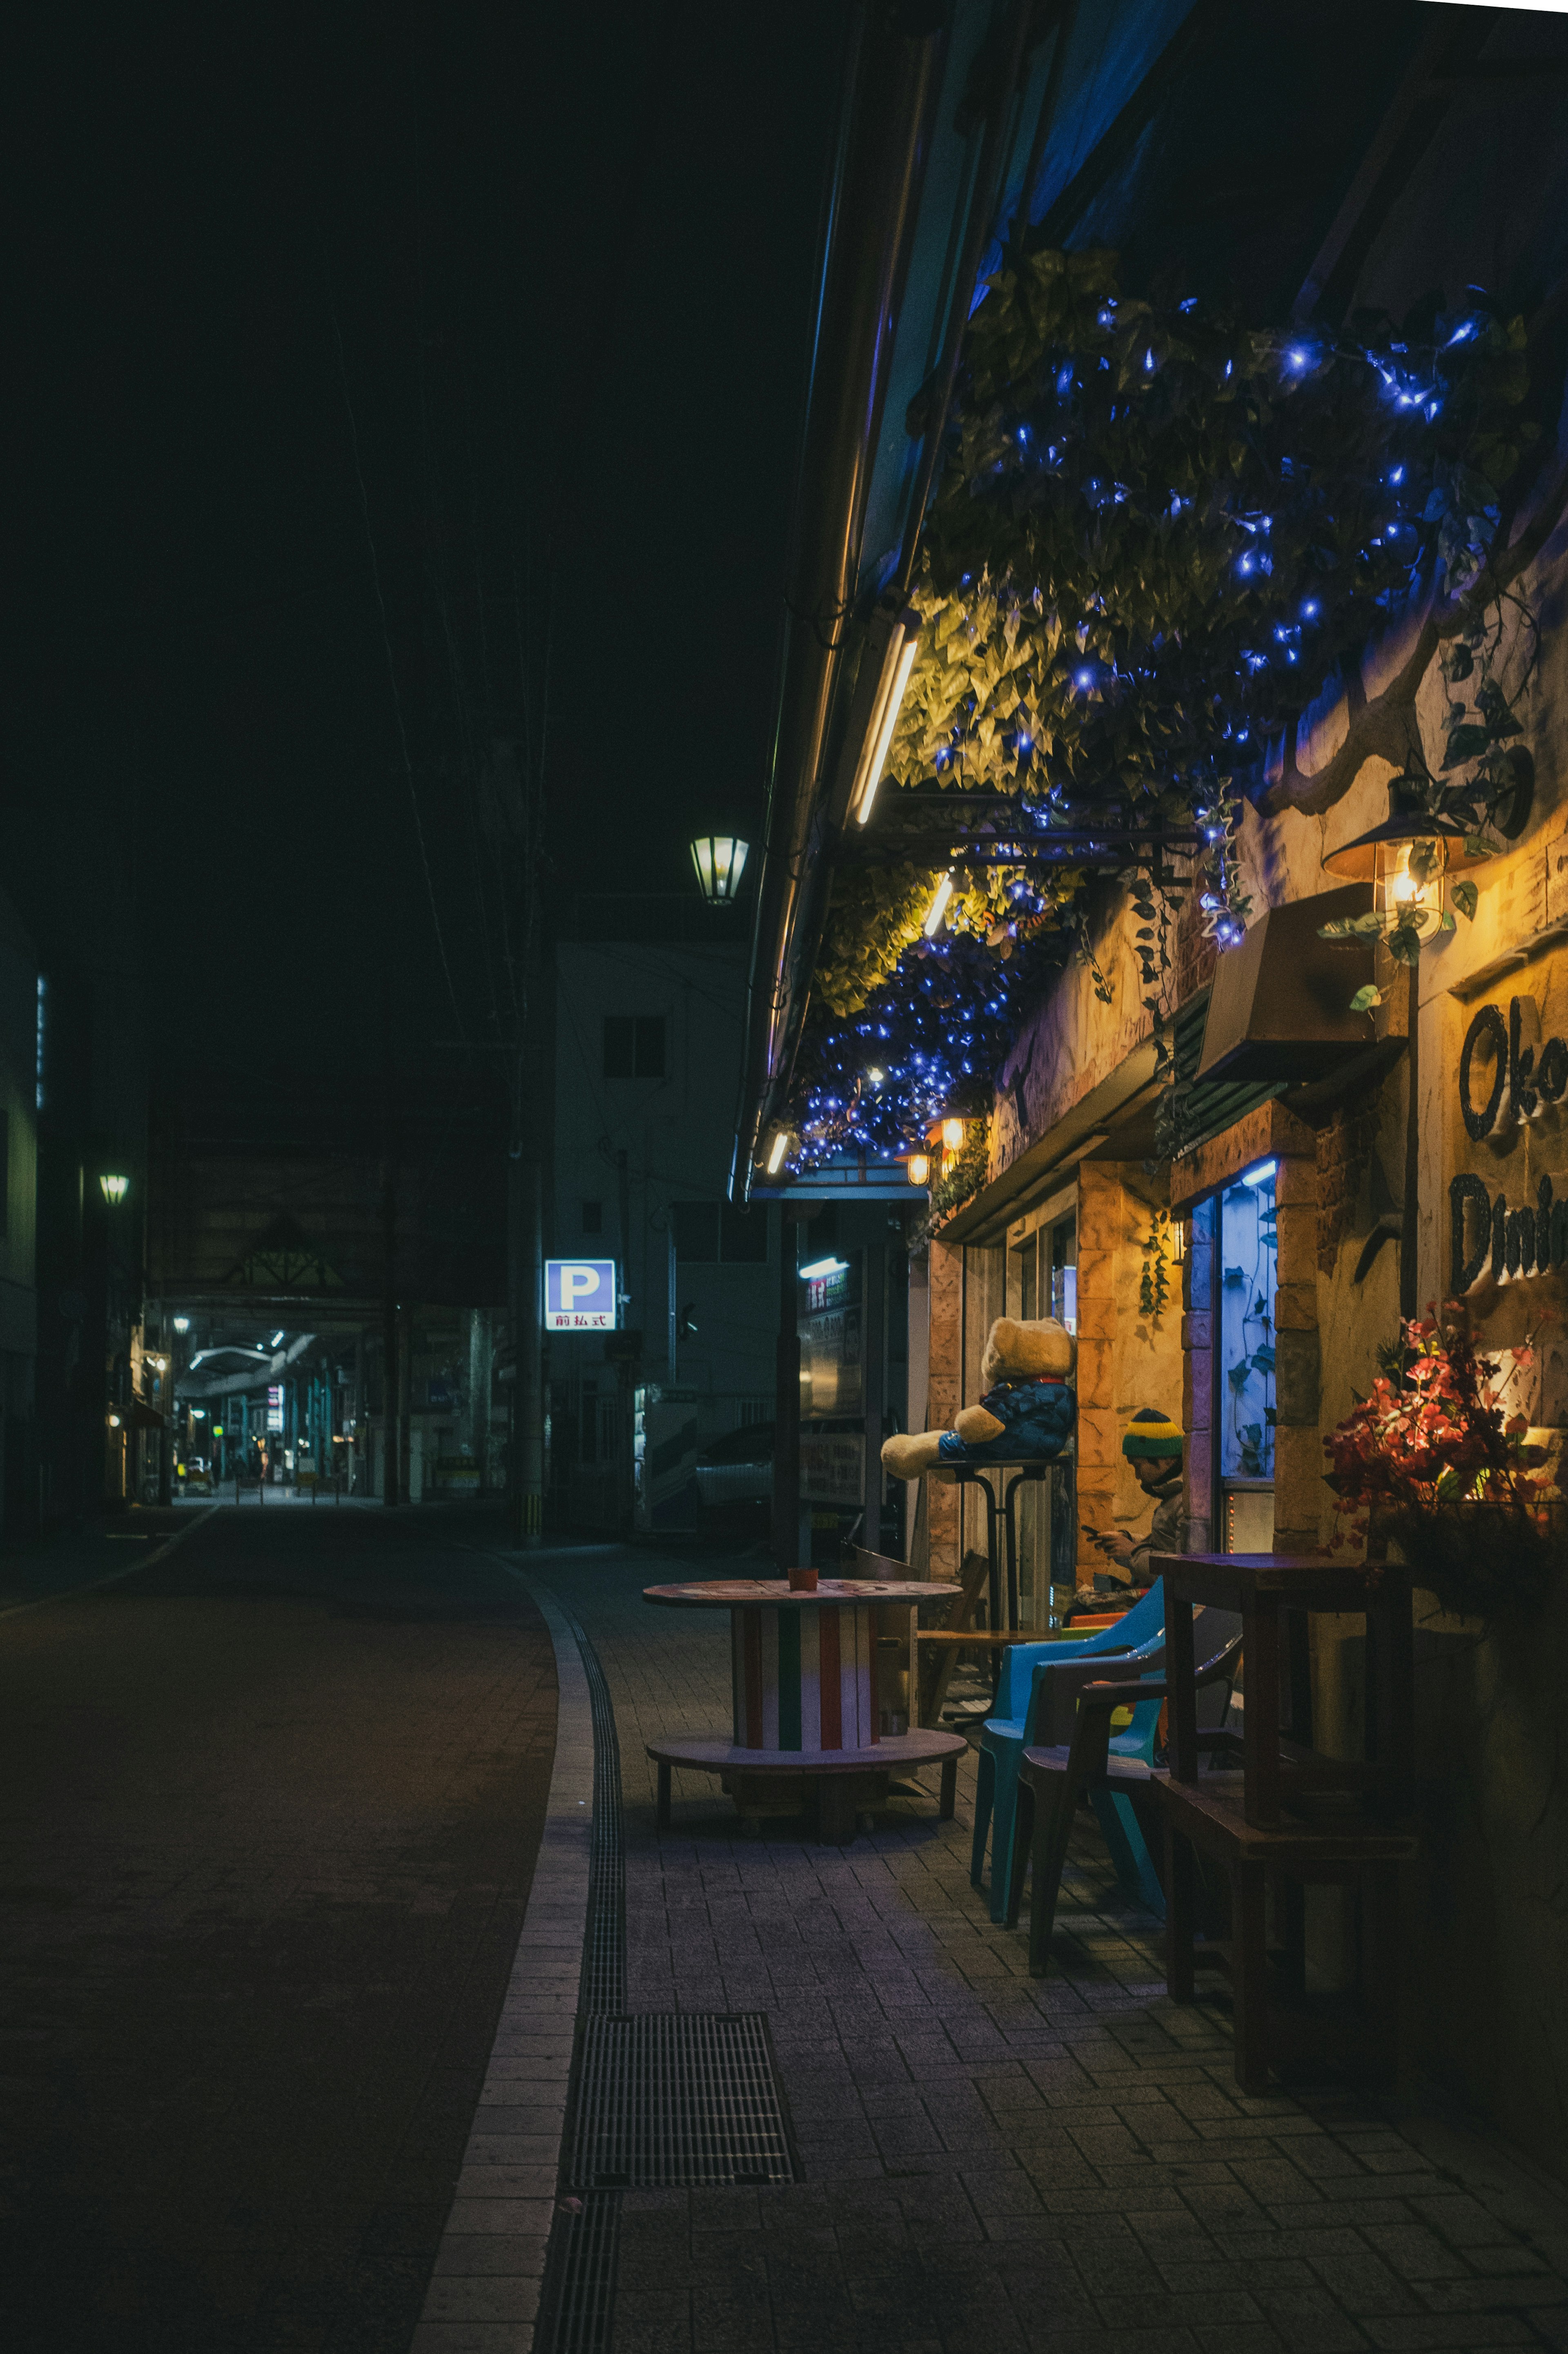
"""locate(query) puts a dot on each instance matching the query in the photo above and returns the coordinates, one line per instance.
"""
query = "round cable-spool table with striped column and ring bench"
(804, 1698)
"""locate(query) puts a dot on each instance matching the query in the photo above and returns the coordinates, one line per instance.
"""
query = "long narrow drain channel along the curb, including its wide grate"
(658, 2101)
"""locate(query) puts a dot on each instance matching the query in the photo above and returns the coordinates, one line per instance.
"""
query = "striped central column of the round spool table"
(804, 1677)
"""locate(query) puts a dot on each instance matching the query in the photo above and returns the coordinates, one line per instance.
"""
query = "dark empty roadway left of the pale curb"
(270, 1811)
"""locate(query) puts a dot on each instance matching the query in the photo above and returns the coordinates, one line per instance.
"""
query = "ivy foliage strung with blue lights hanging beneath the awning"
(1160, 533)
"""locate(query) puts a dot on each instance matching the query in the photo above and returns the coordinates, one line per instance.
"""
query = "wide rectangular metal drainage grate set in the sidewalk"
(677, 2099)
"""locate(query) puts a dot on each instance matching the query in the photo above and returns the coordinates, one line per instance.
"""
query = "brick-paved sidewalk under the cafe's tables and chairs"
(999, 2165)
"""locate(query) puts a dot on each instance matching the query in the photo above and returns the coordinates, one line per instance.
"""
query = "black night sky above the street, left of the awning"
(552, 272)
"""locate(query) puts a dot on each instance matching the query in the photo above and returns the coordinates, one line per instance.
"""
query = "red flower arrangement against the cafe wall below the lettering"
(1433, 1461)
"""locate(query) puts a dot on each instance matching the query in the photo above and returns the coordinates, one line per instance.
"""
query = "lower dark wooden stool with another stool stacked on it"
(1209, 1816)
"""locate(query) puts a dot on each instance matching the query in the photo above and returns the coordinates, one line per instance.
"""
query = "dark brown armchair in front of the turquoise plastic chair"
(1110, 1771)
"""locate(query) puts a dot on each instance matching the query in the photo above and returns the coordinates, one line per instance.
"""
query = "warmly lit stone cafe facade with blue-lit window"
(1235, 1223)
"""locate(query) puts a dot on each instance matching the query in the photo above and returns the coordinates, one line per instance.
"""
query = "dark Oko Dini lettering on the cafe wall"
(1527, 1079)
